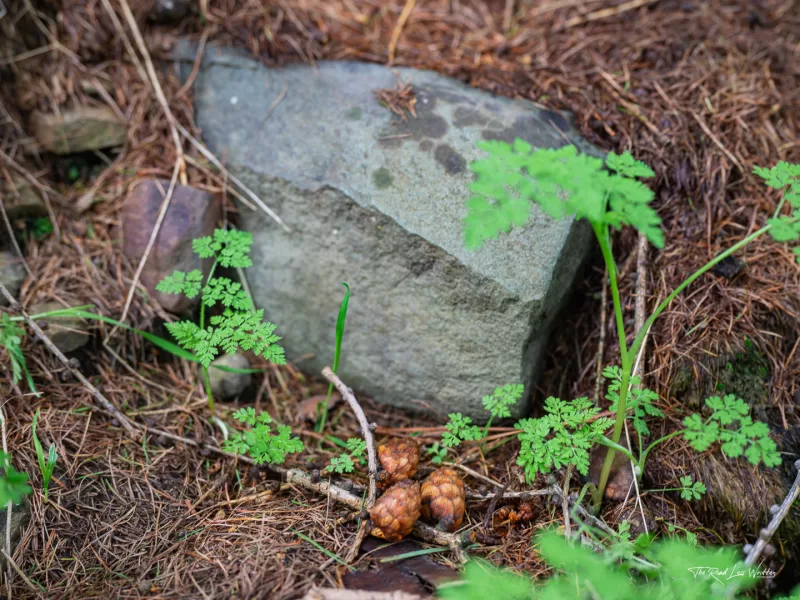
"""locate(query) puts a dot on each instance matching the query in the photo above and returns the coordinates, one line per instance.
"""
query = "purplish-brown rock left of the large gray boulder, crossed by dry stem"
(192, 214)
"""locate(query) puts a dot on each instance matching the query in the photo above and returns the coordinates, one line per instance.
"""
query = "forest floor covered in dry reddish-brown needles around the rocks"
(702, 91)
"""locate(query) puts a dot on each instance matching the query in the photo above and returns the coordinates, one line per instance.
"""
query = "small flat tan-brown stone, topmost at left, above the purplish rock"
(78, 129)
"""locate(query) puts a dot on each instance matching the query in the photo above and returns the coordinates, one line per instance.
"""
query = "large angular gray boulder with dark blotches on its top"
(378, 202)
